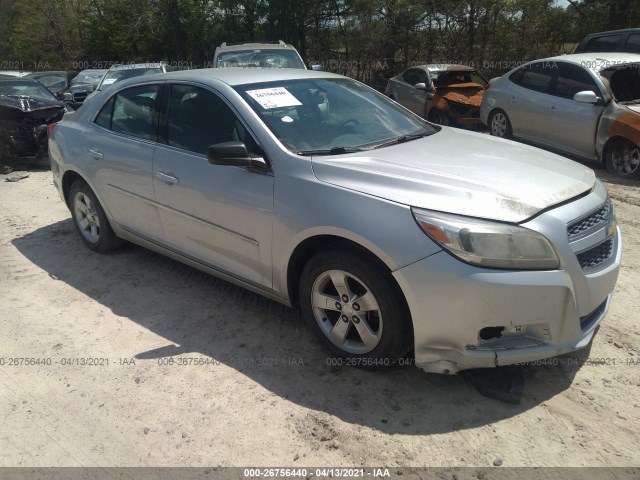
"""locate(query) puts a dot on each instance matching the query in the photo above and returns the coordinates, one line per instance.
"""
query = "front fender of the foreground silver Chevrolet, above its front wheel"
(306, 207)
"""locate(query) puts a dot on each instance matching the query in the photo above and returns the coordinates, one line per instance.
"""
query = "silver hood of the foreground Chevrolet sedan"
(460, 172)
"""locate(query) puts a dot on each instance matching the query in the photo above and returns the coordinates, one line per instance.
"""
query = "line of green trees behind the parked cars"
(370, 40)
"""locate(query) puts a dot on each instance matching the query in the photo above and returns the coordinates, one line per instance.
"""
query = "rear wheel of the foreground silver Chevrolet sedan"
(90, 219)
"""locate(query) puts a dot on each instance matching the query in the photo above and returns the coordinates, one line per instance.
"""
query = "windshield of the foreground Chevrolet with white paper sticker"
(331, 116)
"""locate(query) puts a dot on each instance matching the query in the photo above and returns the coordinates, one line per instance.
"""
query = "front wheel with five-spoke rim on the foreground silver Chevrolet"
(355, 308)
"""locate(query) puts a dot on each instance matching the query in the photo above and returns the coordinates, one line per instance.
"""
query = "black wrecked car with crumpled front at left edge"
(26, 108)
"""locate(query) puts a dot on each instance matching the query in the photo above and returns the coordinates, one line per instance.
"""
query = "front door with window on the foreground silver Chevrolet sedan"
(218, 215)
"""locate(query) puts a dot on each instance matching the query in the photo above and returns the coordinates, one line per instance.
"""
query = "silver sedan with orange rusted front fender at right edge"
(587, 105)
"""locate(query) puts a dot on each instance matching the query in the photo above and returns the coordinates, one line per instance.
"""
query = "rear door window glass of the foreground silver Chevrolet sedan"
(131, 112)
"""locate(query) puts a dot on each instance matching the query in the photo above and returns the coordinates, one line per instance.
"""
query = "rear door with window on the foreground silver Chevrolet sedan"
(119, 144)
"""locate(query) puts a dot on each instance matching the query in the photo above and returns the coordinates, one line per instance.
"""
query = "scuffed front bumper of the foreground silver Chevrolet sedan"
(470, 317)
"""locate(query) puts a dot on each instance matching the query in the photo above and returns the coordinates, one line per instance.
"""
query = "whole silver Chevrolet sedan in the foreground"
(393, 236)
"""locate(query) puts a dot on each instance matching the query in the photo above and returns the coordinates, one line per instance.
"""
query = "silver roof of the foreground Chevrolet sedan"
(237, 76)
